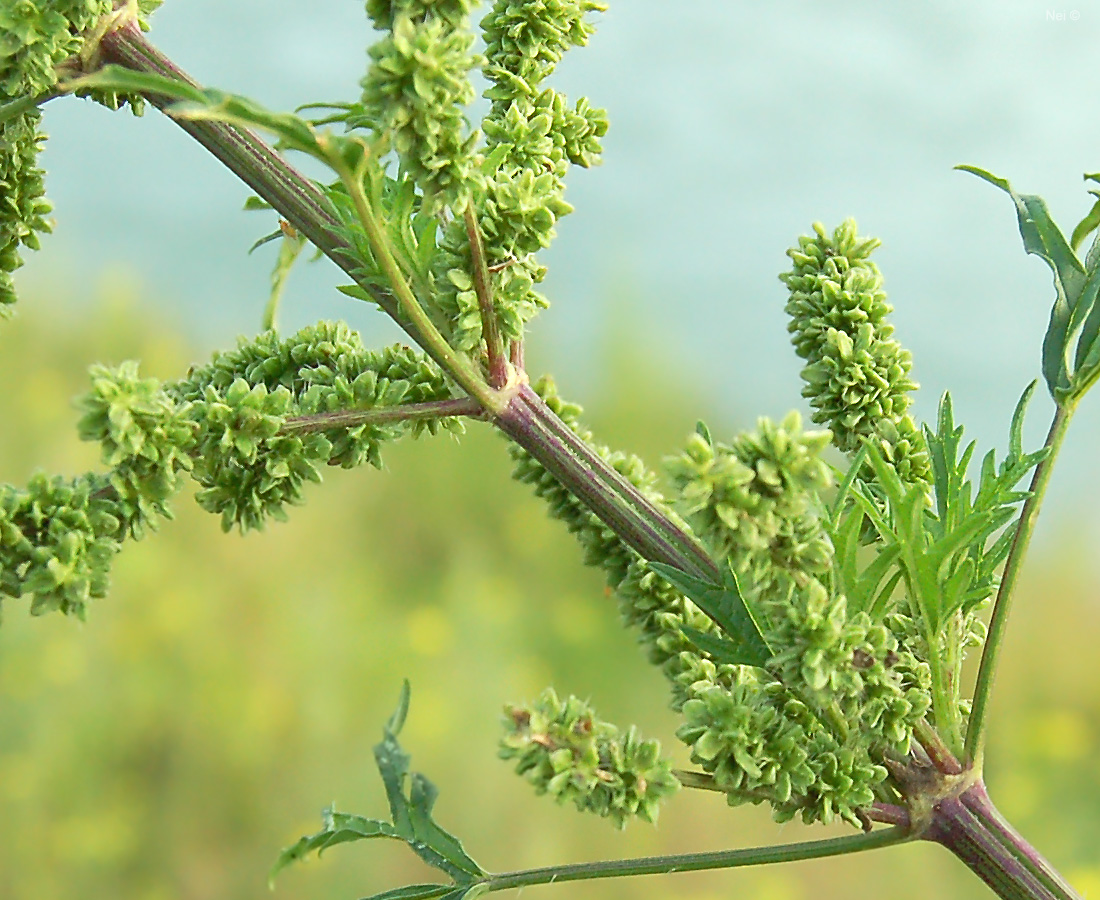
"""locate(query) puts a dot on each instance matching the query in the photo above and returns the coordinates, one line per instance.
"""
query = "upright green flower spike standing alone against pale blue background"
(856, 375)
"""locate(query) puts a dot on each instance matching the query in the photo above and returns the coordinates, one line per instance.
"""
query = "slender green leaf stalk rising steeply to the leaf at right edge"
(998, 622)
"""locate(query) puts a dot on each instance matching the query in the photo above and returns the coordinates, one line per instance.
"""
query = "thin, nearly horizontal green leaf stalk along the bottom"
(698, 862)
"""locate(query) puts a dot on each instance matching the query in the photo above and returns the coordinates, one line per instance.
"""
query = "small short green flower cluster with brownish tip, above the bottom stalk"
(565, 751)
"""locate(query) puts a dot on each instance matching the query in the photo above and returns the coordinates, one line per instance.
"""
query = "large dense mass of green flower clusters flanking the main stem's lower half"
(808, 733)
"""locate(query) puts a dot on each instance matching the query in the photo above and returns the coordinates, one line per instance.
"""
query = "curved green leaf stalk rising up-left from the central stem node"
(458, 367)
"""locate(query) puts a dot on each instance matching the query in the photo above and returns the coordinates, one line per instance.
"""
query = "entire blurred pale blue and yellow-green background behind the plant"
(230, 688)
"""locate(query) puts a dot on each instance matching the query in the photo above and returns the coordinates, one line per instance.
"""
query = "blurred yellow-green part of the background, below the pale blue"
(229, 688)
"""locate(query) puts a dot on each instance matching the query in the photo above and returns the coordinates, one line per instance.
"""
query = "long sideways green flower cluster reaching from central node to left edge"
(230, 426)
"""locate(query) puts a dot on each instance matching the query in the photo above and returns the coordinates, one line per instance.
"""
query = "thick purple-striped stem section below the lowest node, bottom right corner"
(973, 830)
